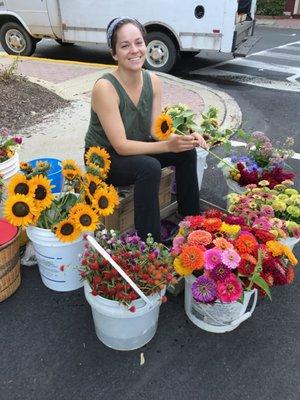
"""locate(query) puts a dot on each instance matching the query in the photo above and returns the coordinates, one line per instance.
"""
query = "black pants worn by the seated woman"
(144, 172)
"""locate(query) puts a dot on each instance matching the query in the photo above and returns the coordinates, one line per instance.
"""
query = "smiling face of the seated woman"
(130, 47)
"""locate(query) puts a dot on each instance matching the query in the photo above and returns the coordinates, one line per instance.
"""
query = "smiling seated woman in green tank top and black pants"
(125, 104)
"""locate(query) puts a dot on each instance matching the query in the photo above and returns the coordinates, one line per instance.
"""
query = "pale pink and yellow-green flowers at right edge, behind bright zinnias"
(275, 210)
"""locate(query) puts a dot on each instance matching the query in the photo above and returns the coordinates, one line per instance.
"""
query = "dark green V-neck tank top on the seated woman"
(136, 119)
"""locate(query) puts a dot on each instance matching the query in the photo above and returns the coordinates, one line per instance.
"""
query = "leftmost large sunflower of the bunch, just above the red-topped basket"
(19, 210)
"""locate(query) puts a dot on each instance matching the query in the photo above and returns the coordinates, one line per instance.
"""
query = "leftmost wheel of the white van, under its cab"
(16, 40)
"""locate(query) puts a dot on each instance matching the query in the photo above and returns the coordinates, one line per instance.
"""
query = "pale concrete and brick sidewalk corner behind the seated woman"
(62, 134)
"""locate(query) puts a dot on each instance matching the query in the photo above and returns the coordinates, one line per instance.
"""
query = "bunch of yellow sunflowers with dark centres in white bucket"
(84, 199)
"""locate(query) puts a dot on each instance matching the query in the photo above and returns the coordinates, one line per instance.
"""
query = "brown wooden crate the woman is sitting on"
(123, 217)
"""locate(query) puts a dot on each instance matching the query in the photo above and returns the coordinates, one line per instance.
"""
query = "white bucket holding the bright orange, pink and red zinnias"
(217, 317)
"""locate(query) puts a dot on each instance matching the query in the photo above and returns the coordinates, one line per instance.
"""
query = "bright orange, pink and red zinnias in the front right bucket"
(227, 257)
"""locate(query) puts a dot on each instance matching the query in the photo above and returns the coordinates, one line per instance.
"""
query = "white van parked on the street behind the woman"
(174, 27)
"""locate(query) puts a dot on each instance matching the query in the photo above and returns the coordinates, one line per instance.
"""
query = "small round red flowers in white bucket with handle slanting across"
(148, 264)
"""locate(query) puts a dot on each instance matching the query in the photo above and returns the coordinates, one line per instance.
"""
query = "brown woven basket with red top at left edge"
(10, 276)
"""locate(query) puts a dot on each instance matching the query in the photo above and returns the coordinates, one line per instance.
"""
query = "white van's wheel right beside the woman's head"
(161, 53)
